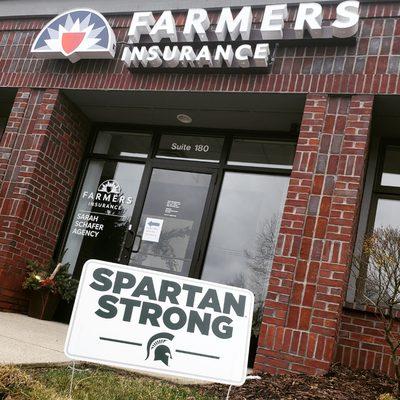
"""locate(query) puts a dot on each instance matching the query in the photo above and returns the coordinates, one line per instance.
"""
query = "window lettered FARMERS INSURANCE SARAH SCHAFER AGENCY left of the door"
(103, 212)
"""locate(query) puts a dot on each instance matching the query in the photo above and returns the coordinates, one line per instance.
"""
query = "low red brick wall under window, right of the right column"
(361, 342)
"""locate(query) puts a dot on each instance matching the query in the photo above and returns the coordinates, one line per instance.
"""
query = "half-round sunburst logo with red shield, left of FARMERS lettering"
(76, 34)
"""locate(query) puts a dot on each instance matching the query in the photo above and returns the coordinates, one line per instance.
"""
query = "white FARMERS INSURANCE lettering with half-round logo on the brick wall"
(233, 42)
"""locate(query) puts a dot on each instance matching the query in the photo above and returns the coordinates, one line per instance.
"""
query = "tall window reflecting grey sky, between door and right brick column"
(244, 233)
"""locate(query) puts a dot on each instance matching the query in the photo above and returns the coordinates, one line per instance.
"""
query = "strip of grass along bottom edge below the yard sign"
(90, 383)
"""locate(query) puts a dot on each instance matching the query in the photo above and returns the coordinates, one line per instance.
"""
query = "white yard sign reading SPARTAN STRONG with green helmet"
(157, 322)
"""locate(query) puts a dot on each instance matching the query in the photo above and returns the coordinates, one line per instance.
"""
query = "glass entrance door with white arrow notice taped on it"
(166, 236)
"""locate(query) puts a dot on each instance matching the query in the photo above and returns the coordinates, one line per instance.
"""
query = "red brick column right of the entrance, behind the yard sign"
(310, 270)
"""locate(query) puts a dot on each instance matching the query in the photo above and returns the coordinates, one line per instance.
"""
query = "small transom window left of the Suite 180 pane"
(123, 144)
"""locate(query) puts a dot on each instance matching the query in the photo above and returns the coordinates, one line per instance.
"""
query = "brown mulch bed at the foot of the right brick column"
(339, 384)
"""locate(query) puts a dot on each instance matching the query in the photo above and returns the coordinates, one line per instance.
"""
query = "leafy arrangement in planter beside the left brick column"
(52, 277)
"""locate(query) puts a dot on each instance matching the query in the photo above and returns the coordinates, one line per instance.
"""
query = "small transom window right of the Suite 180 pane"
(261, 153)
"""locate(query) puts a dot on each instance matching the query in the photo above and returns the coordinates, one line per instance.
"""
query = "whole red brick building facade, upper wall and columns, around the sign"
(307, 323)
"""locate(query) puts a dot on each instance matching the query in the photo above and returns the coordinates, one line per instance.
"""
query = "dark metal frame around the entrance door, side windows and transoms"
(151, 162)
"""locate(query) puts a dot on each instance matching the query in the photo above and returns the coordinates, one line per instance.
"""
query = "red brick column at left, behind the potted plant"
(41, 150)
